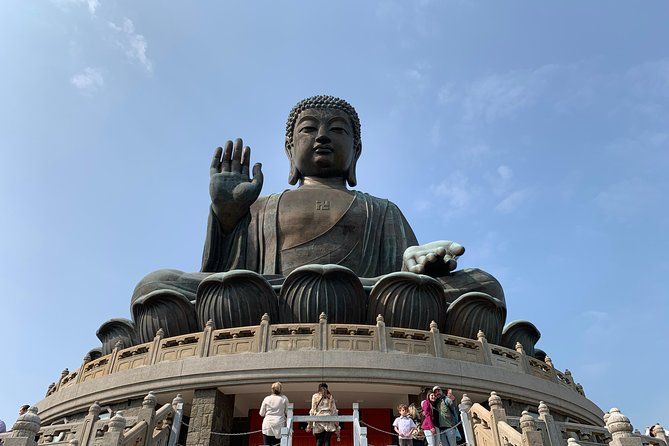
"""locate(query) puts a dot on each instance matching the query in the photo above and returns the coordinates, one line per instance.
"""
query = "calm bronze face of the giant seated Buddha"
(323, 143)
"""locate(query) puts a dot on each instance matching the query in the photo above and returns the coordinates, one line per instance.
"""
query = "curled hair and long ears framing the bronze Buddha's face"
(323, 102)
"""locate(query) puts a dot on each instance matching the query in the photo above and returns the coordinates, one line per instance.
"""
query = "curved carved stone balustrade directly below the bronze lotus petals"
(318, 336)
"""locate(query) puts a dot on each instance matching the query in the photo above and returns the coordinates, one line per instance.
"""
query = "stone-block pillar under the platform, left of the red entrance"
(212, 411)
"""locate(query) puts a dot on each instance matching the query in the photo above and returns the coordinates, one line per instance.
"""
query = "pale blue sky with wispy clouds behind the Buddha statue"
(534, 134)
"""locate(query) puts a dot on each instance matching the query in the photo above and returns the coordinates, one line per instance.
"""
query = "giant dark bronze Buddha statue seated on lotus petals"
(317, 248)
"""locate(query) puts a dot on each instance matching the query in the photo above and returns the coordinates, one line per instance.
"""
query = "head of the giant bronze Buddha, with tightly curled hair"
(323, 139)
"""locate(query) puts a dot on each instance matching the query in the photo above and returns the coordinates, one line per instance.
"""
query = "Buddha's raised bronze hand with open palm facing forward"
(232, 191)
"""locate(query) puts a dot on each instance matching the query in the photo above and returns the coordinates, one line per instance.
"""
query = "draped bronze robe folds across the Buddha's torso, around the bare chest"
(376, 236)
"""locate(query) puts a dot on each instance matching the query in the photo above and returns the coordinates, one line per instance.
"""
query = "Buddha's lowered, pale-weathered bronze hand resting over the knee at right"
(434, 259)
